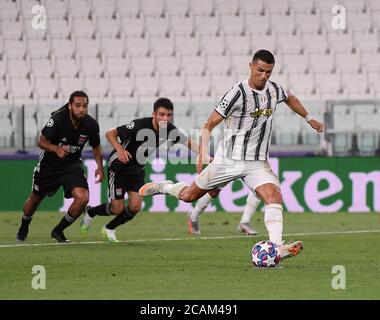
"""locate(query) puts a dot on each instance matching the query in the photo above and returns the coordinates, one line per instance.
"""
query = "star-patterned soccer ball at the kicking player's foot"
(265, 254)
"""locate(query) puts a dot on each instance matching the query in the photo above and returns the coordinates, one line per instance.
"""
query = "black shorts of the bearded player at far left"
(46, 183)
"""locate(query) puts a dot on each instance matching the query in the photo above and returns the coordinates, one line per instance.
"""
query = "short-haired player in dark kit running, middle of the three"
(126, 164)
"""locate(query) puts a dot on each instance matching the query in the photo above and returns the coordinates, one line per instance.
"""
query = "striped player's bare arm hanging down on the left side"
(203, 158)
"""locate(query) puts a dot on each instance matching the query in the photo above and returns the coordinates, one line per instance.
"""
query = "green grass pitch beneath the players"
(157, 259)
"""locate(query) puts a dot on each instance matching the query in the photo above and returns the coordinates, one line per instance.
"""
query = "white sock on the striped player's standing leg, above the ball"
(274, 222)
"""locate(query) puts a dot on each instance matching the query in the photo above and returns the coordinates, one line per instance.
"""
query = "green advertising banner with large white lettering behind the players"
(307, 184)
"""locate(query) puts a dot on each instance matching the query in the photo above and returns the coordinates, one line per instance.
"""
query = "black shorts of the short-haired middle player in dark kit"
(120, 182)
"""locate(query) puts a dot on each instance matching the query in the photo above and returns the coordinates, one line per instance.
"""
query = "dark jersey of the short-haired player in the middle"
(140, 139)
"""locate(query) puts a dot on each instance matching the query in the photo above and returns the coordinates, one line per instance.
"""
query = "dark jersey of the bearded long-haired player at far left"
(59, 130)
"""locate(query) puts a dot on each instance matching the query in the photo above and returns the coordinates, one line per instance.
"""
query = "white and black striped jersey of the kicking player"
(248, 117)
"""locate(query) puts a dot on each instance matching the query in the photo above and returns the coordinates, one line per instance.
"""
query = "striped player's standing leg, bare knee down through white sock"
(271, 195)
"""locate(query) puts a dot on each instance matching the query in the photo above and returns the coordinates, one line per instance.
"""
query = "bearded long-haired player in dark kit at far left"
(62, 141)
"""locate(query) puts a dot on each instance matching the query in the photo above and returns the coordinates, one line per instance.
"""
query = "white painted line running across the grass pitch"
(43, 244)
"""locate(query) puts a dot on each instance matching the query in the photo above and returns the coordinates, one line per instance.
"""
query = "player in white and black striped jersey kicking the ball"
(247, 109)
